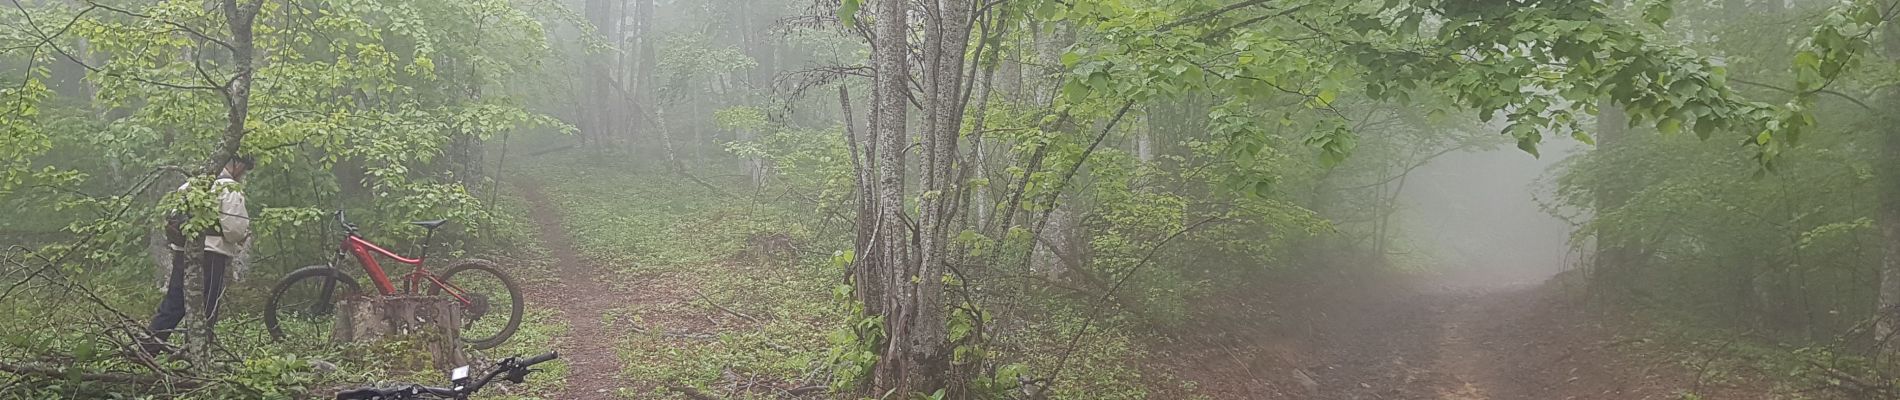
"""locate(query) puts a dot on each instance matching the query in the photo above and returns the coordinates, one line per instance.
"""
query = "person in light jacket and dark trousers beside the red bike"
(221, 244)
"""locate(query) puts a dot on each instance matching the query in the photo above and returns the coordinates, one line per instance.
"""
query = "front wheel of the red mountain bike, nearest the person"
(303, 306)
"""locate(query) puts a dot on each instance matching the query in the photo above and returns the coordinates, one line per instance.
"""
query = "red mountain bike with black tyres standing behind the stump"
(303, 304)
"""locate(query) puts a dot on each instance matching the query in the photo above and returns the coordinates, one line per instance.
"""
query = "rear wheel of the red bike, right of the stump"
(493, 302)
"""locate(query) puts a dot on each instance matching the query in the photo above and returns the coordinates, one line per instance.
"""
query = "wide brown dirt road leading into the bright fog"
(1416, 340)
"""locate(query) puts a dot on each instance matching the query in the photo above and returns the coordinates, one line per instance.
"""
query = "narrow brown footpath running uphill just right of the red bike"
(584, 297)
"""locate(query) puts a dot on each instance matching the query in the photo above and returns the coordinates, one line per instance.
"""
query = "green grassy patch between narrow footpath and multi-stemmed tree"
(732, 318)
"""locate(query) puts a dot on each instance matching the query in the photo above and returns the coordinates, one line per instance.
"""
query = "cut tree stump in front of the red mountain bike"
(415, 331)
